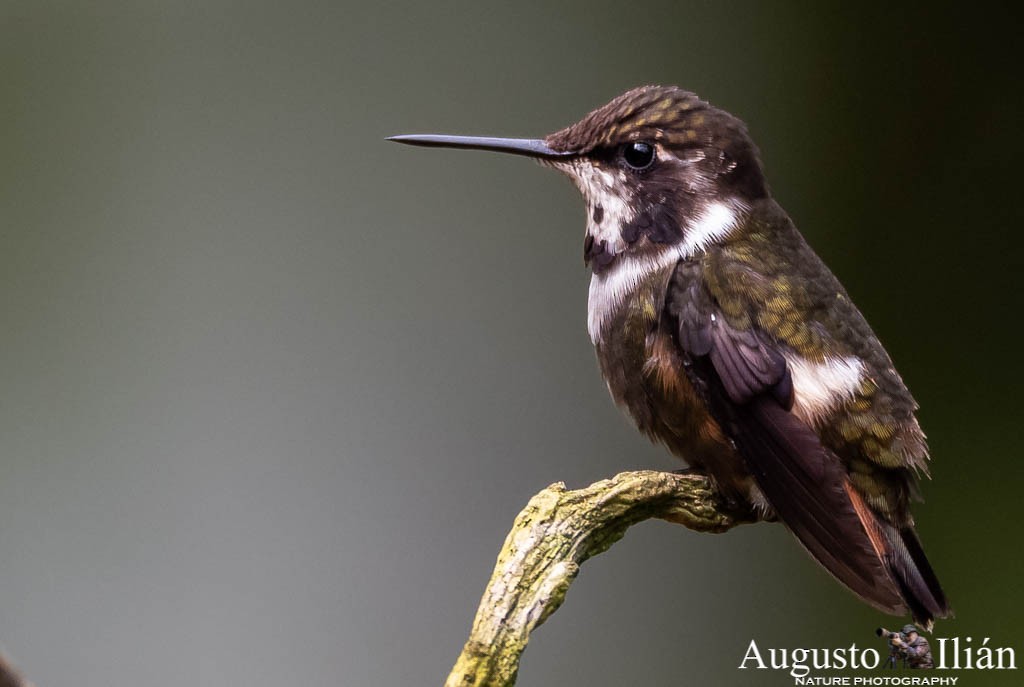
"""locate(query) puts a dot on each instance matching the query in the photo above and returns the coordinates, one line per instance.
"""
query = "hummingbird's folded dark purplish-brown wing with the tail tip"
(749, 389)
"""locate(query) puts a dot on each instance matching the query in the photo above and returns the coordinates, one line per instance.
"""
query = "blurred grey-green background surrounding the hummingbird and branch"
(273, 390)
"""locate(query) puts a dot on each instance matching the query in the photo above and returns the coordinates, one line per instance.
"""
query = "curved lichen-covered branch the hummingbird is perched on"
(551, 538)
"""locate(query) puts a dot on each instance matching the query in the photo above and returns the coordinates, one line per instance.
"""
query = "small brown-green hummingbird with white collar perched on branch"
(726, 338)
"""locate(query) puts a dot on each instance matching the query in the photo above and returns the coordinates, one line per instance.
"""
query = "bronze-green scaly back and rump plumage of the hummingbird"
(767, 277)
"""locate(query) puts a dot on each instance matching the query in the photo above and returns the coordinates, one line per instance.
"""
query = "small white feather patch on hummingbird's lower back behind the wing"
(822, 388)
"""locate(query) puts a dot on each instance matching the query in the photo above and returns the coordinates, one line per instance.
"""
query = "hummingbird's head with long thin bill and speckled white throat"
(662, 173)
